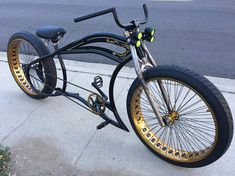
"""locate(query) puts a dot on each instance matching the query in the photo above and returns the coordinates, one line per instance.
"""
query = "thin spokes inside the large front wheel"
(191, 133)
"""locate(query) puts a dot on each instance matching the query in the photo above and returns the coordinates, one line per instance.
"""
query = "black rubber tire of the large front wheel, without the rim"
(210, 93)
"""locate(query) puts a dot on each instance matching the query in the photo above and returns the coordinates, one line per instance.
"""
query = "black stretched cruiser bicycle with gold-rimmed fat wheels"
(178, 114)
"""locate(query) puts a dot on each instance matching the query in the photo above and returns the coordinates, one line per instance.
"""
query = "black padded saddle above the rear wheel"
(51, 32)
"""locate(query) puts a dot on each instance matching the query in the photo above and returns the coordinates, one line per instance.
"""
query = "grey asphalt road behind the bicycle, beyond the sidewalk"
(198, 34)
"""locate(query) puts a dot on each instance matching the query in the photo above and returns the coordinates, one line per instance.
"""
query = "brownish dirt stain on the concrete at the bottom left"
(42, 157)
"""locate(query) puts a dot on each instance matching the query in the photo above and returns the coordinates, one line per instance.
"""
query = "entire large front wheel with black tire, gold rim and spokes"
(214, 116)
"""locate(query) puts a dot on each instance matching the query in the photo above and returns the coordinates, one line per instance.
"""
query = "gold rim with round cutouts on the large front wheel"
(161, 146)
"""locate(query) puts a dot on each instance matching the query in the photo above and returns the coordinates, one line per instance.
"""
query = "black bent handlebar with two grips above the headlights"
(113, 11)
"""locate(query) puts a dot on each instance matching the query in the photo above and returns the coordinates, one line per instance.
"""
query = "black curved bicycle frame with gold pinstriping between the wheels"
(86, 45)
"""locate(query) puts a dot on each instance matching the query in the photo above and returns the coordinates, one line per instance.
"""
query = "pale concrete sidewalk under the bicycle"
(56, 137)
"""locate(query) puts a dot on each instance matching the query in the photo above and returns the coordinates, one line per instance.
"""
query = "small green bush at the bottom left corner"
(4, 158)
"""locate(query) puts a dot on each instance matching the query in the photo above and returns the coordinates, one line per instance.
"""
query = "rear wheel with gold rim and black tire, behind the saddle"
(24, 47)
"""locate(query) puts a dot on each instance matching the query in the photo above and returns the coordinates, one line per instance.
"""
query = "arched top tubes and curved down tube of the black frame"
(85, 46)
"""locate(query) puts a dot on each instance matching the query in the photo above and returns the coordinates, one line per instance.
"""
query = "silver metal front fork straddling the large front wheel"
(149, 61)
